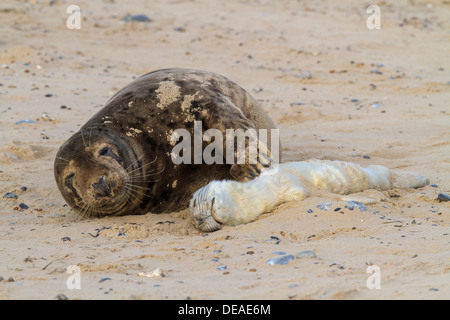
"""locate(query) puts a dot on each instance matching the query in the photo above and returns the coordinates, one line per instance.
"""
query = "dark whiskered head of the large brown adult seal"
(94, 173)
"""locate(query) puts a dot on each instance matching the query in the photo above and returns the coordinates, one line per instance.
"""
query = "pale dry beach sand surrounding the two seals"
(304, 61)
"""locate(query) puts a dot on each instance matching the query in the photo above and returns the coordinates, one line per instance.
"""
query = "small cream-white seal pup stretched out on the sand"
(232, 203)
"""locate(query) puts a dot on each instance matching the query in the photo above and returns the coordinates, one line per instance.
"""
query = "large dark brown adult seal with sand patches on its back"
(120, 161)
